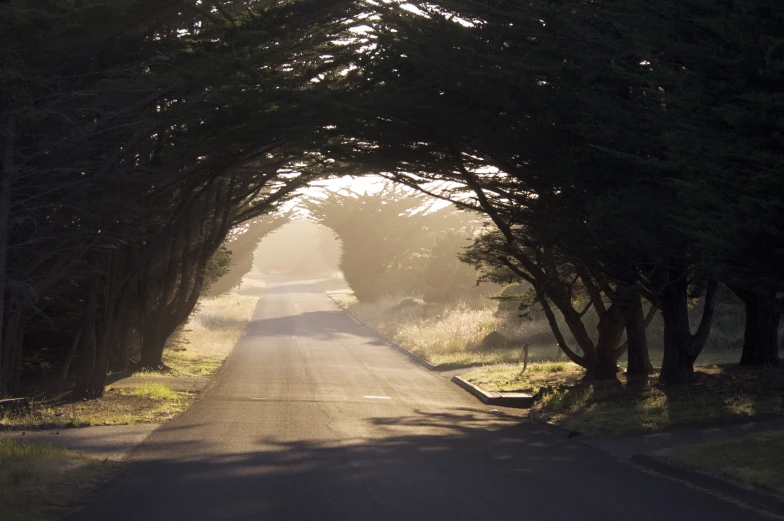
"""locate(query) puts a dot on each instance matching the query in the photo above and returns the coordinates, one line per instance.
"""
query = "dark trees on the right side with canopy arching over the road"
(624, 152)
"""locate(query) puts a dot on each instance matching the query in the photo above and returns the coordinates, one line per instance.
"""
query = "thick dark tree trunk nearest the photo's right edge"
(760, 338)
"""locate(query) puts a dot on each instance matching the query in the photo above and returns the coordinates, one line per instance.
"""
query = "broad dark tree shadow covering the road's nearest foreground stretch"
(455, 465)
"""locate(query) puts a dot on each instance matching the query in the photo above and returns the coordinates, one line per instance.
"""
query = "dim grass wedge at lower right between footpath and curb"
(756, 460)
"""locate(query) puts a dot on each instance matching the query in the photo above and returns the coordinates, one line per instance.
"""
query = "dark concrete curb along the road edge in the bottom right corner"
(717, 485)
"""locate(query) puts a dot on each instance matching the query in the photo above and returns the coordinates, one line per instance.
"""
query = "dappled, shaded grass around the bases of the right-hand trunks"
(720, 395)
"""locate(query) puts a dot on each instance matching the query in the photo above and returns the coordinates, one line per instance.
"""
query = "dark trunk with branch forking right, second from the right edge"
(677, 334)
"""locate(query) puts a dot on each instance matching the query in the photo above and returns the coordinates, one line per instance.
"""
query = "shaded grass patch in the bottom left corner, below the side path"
(37, 481)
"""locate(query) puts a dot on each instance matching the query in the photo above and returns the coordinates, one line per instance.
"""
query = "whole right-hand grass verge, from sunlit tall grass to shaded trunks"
(451, 337)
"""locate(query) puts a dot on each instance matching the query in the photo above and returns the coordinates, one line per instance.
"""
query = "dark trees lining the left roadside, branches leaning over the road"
(136, 147)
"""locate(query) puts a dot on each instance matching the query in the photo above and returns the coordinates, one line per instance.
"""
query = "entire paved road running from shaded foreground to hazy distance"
(312, 418)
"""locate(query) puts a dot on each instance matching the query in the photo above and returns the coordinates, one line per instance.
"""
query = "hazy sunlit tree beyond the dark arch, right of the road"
(394, 242)
